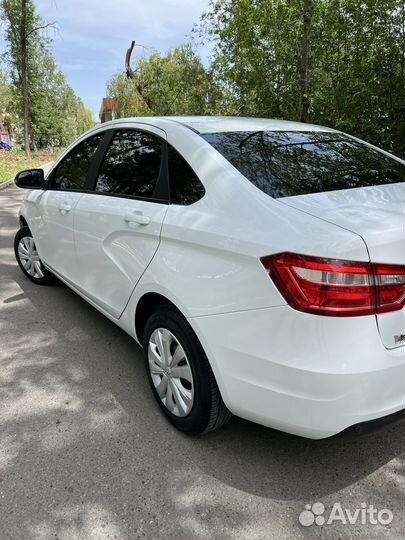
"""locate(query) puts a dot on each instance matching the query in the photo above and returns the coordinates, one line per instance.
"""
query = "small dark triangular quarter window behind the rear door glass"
(185, 187)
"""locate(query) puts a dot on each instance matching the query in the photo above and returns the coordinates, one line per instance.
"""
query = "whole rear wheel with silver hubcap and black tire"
(180, 375)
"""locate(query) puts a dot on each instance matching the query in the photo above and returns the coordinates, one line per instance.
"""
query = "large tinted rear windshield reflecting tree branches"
(287, 163)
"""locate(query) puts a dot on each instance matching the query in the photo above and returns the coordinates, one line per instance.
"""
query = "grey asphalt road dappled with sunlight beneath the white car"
(86, 454)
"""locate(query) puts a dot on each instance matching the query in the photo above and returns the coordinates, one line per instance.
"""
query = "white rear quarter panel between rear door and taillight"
(209, 252)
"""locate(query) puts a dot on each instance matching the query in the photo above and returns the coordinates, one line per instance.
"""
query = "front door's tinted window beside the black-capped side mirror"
(71, 173)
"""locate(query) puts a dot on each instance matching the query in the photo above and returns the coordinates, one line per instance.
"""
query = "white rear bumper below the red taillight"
(304, 374)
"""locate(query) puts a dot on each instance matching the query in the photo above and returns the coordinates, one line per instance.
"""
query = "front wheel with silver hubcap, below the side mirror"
(28, 259)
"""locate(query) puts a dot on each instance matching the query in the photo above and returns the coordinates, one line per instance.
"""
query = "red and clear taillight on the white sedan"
(336, 287)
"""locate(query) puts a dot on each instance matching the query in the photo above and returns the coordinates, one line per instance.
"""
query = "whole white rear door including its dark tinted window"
(118, 223)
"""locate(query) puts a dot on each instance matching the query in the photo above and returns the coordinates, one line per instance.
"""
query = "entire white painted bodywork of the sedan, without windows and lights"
(305, 374)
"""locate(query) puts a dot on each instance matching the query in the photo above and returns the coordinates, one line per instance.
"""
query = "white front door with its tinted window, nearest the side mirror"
(54, 229)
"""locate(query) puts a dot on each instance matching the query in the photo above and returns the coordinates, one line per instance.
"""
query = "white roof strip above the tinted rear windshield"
(215, 124)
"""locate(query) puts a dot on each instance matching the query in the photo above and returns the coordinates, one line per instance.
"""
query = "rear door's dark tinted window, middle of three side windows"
(131, 166)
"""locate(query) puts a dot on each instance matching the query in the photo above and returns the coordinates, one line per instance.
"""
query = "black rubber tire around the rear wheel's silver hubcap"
(208, 411)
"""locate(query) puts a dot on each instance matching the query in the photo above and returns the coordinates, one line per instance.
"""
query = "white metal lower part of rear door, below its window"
(110, 242)
